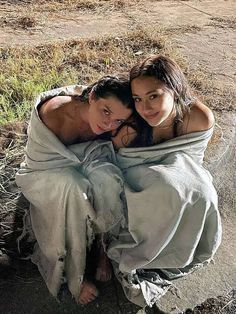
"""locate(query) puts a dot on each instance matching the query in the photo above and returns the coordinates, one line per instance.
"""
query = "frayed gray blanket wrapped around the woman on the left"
(63, 185)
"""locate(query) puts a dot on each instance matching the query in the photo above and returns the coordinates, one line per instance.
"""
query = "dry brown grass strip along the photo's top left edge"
(18, 15)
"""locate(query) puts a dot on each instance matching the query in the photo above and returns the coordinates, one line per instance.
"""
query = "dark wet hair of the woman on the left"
(117, 86)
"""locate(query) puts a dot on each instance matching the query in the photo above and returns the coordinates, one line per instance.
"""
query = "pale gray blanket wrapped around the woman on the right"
(173, 220)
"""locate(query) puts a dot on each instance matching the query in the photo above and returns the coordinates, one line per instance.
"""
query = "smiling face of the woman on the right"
(153, 101)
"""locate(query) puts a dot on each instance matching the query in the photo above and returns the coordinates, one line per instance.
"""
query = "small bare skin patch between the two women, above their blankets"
(124, 137)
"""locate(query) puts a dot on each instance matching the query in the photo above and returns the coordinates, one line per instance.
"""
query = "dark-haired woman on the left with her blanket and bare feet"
(66, 174)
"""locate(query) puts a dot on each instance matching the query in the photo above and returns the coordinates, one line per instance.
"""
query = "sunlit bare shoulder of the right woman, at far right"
(200, 118)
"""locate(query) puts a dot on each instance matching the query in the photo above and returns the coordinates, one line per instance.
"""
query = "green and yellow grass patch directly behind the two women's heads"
(27, 72)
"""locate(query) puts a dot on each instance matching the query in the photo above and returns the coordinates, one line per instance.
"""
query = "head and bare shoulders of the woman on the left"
(101, 108)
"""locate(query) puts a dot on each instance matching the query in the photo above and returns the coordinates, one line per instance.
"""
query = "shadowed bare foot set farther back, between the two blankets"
(103, 271)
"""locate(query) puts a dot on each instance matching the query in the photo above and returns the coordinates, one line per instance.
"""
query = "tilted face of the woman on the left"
(107, 114)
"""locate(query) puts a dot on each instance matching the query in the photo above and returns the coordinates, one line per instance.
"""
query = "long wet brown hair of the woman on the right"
(168, 72)
